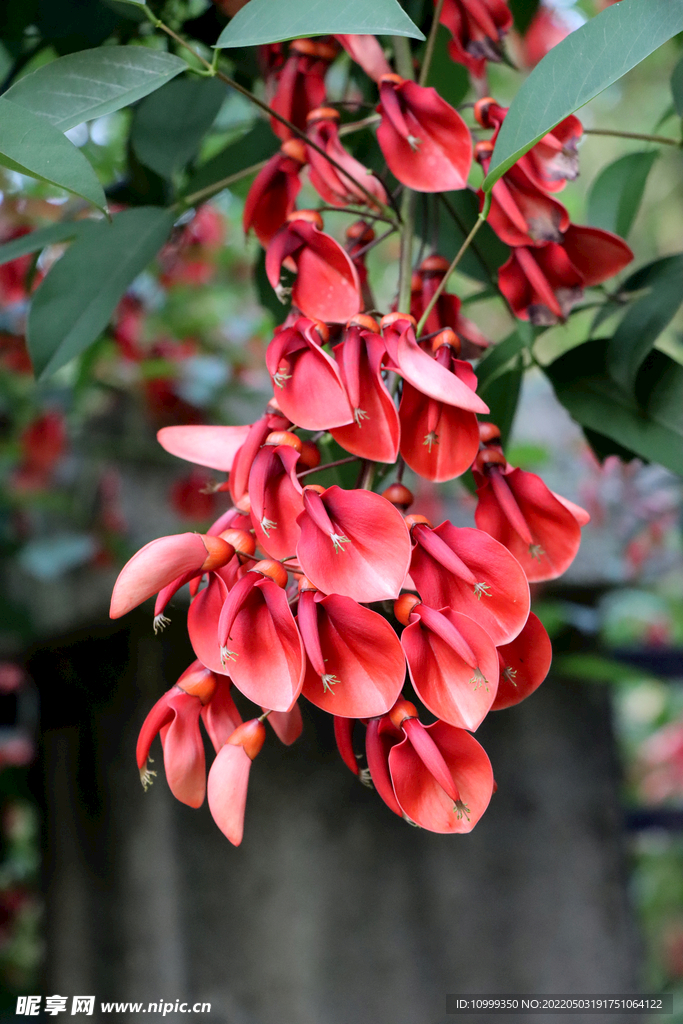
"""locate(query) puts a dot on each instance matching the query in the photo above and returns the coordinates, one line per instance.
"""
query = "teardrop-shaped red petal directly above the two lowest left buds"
(268, 663)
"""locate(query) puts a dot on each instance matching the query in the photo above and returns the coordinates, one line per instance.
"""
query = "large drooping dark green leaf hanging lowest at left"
(77, 298)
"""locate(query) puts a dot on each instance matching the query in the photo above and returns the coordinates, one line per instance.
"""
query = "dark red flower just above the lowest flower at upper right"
(521, 214)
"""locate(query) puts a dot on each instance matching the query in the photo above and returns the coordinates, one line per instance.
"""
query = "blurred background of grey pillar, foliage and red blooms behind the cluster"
(332, 911)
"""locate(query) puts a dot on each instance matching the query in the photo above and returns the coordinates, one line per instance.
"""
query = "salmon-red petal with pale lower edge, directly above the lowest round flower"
(446, 684)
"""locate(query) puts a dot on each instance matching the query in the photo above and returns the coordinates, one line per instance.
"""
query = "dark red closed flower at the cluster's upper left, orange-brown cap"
(274, 192)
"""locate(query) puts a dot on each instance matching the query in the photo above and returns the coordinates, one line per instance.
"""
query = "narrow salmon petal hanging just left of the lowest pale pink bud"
(185, 762)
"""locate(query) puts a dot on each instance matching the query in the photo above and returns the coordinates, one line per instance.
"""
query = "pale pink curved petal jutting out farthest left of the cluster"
(155, 567)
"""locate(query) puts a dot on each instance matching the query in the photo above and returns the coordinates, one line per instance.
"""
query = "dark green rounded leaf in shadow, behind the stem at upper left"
(170, 124)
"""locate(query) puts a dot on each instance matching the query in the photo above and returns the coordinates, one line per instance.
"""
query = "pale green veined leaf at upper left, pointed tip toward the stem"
(89, 84)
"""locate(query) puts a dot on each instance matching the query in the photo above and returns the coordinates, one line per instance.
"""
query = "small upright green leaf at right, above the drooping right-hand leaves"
(617, 193)
